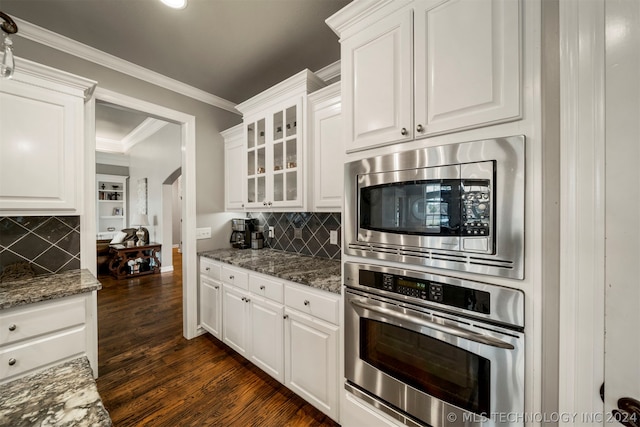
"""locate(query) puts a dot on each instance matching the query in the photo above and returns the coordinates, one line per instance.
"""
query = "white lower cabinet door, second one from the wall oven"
(267, 346)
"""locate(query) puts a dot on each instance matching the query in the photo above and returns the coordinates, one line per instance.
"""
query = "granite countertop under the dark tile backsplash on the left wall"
(47, 287)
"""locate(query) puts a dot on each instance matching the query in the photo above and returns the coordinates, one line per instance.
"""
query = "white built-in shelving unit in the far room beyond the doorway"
(111, 209)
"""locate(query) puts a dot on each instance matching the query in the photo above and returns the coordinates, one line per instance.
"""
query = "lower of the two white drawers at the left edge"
(33, 354)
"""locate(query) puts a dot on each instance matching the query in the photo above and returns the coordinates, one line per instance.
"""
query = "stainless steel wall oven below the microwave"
(434, 350)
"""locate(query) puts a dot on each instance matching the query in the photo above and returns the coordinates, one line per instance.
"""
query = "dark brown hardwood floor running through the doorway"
(150, 375)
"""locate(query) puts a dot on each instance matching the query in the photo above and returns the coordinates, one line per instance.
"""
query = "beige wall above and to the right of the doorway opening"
(210, 121)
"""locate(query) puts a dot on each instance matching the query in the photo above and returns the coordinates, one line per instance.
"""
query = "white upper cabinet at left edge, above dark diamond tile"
(42, 122)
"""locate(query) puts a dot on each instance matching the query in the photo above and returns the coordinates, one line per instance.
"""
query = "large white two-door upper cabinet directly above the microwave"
(412, 69)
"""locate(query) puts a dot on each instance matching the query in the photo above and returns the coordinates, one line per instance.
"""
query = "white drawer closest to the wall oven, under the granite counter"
(313, 302)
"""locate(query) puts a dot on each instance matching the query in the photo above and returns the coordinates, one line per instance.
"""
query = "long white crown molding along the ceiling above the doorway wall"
(64, 44)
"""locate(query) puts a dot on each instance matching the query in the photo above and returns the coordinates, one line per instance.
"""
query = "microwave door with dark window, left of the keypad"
(417, 207)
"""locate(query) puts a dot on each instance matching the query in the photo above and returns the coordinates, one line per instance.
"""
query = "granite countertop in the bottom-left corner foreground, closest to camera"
(64, 395)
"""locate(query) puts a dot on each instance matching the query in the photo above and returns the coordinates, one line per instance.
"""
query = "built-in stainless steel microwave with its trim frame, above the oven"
(457, 206)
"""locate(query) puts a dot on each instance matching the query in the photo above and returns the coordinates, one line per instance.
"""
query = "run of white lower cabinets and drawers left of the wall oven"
(288, 330)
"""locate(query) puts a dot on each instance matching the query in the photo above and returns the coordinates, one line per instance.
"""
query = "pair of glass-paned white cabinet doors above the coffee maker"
(274, 168)
